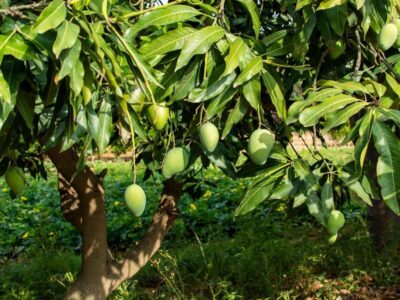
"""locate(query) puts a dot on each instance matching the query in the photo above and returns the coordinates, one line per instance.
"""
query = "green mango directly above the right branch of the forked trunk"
(176, 160)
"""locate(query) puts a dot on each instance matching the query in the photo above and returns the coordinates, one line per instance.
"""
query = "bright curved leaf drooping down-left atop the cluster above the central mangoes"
(199, 43)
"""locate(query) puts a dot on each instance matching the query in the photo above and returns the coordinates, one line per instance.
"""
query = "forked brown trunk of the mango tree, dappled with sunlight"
(82, 204)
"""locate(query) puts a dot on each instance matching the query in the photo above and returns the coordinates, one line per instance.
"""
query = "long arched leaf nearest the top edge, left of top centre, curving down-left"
(160, 17)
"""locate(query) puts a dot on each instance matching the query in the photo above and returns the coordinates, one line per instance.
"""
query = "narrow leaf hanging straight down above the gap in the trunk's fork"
(105, 124)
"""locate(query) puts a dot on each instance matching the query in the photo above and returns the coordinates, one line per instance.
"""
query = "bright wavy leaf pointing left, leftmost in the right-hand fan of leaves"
(311, 115)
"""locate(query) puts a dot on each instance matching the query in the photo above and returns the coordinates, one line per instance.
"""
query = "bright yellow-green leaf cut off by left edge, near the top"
(16, 46)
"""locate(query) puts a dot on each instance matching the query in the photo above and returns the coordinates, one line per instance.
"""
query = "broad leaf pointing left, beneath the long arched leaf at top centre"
(171, 41)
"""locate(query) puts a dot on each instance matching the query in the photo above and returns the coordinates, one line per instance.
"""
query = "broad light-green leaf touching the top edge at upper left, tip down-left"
(51, 17)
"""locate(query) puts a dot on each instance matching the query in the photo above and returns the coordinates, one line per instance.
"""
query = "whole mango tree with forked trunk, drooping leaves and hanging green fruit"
(186, 84)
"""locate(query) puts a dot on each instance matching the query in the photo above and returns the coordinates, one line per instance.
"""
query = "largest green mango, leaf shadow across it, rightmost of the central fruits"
(260, 145)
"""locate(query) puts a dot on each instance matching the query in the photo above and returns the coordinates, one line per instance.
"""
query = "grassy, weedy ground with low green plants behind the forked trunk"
(267, 254)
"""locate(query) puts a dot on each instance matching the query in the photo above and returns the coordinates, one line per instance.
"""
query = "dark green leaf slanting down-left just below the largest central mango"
(256, 194)
